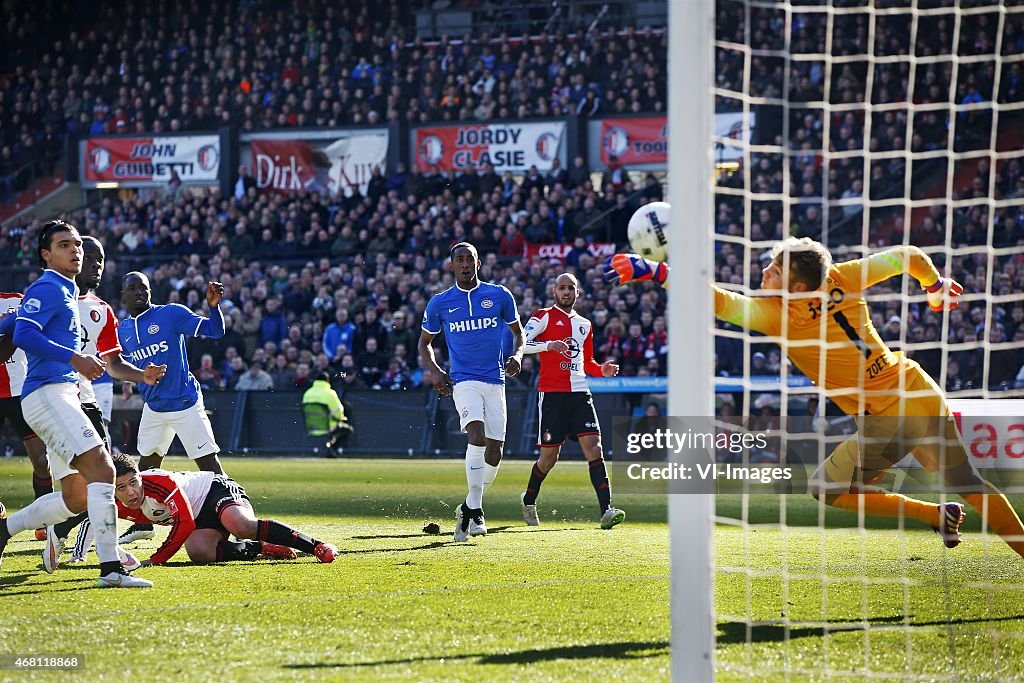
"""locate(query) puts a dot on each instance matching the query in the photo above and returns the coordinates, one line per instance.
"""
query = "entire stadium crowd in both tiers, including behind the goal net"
(318, 283)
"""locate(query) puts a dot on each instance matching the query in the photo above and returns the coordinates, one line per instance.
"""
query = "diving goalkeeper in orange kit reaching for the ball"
(819, 313)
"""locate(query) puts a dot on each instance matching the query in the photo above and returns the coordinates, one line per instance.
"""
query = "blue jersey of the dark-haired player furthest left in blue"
(52, 305)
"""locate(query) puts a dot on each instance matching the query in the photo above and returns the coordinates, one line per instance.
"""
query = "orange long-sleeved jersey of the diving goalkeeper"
(829, 334)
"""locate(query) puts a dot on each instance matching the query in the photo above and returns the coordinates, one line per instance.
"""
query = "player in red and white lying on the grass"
(202, 509)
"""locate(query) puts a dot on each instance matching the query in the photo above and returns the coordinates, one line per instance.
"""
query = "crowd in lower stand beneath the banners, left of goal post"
(340, 284)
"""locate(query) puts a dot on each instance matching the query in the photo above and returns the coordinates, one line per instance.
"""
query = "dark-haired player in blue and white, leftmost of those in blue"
(48, 329)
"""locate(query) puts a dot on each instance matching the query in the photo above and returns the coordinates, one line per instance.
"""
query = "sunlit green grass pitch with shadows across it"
(563, 603)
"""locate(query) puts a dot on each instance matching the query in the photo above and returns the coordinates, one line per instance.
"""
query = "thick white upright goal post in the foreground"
(692, 30)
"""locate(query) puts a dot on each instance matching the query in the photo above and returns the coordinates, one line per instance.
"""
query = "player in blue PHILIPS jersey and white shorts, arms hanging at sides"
(473, 317)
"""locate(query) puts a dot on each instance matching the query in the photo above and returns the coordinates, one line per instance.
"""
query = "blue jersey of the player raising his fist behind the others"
(158, 336)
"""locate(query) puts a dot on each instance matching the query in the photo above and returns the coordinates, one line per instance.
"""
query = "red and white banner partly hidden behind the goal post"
(639, 141)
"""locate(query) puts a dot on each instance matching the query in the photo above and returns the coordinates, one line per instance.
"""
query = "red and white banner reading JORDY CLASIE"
(508, 147)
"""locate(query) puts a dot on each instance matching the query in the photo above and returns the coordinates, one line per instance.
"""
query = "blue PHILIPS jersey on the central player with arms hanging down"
(475, 324)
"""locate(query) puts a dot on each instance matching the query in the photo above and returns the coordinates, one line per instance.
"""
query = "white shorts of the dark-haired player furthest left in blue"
(55, 413)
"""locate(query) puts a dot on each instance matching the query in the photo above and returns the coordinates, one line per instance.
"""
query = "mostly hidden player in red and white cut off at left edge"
(12, 377)
